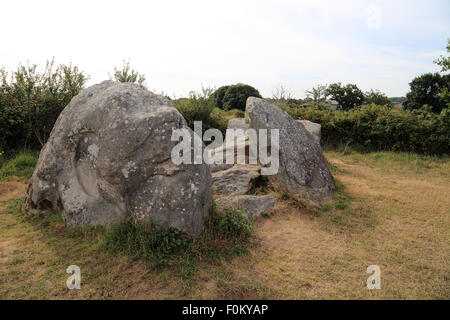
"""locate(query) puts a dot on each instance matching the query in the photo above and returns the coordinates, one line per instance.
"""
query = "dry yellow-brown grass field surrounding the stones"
(393, 212)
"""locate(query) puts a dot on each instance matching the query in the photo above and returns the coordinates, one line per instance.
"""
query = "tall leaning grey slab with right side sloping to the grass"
(303, 169)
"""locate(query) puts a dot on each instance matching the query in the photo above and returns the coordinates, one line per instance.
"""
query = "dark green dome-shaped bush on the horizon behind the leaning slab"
(234, 96)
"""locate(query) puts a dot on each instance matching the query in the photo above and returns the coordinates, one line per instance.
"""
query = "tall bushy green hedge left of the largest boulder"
(30, 103)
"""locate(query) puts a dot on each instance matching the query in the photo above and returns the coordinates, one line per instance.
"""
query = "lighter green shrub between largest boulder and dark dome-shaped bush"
(199, 107)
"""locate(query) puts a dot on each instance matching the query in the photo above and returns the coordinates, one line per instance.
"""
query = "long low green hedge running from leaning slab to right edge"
(380, 128)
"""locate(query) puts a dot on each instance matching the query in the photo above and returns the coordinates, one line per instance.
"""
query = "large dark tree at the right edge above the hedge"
(428, 89)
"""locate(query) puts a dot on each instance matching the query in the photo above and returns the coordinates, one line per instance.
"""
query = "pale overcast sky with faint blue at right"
(182, 45)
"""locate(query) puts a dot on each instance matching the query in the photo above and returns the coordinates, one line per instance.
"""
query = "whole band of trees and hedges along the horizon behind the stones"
(31, 101)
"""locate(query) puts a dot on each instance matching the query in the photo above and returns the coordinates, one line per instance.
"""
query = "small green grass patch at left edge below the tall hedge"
(20, 165)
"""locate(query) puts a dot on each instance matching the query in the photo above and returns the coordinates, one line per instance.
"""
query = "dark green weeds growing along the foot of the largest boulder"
(226, 233)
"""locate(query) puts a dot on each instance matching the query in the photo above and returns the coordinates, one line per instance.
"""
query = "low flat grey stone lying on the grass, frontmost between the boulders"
(251, 206)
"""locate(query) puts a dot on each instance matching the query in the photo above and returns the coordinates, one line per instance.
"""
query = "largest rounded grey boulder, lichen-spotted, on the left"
(109, 157)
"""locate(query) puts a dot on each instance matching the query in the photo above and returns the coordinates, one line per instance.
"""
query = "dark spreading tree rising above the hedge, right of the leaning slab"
(347, 97)
